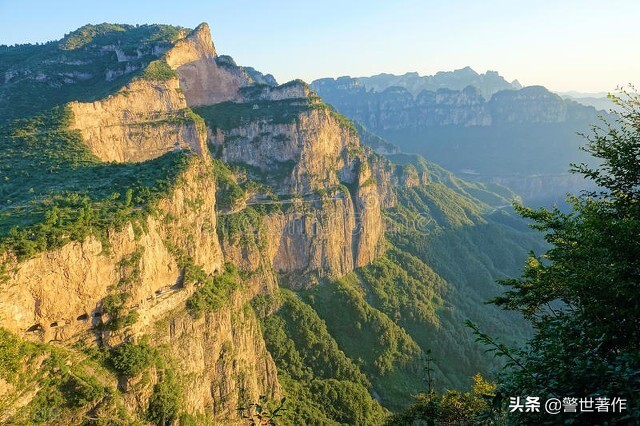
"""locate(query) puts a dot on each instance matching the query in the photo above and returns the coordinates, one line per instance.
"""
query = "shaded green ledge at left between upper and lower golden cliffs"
(55, 191)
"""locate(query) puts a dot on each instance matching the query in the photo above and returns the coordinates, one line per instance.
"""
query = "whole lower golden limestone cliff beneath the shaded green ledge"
(220, 358)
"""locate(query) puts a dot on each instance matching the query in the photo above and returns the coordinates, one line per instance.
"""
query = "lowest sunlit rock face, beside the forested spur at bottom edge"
(222, 359)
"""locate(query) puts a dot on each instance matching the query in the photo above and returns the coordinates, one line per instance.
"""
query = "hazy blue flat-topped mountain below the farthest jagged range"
(524, 138)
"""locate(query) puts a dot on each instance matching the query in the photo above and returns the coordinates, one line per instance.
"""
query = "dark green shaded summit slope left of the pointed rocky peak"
(83, 66)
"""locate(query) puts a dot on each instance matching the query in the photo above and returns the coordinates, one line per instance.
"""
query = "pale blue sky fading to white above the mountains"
(581, 45)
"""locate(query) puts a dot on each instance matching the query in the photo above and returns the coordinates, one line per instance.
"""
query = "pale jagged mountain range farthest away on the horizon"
(487, 83)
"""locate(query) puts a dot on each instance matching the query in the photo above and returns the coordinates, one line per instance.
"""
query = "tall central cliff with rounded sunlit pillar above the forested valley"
(332, 221)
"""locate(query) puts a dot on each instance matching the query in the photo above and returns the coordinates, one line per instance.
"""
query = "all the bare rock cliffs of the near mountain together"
(331, 225)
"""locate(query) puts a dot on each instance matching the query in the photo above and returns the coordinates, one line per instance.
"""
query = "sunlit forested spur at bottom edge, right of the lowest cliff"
(322, 385)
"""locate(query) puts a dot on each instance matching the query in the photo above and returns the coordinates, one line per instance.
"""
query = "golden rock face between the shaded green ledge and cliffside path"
(58, 294)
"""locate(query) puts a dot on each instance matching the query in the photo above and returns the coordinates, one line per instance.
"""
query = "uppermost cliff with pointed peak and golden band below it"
(149, 117)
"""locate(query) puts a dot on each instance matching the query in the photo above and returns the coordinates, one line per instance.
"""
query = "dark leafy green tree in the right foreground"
(583, 295)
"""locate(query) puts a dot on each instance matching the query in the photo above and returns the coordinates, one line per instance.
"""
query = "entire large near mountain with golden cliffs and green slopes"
(181, 239)
